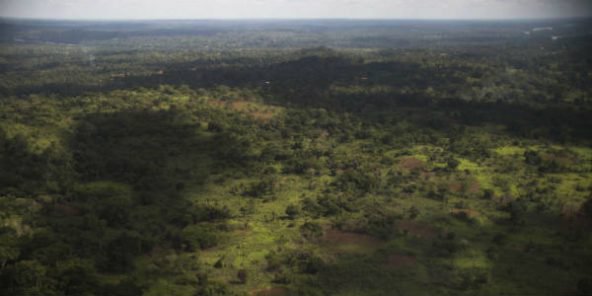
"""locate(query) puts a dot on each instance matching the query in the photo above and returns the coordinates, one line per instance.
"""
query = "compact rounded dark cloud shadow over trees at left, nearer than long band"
(133, 147)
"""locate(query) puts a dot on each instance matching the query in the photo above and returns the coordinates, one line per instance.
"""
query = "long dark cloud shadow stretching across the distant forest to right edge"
(306, 83)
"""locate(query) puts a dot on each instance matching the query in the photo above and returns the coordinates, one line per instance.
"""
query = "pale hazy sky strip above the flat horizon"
(213, 9)
